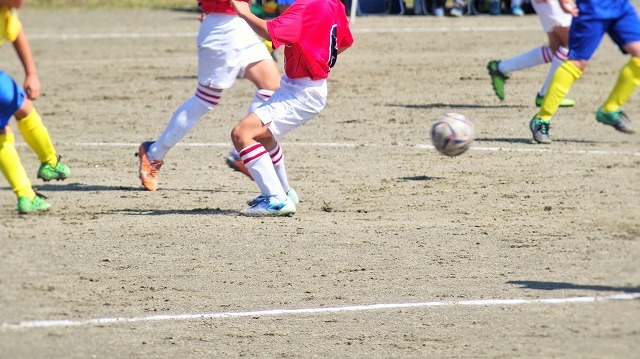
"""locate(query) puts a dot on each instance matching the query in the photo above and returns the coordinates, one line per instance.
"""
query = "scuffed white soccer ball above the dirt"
(452, 134)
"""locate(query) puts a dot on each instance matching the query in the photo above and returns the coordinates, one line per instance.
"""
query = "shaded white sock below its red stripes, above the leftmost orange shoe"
(182, 121)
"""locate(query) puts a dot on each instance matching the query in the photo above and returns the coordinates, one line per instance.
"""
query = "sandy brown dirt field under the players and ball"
(384, 218)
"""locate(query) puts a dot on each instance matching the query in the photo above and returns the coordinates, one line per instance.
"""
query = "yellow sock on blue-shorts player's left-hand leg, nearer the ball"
(562, 81)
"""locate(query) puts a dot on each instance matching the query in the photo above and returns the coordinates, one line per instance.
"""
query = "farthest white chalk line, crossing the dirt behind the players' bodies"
(139, 35)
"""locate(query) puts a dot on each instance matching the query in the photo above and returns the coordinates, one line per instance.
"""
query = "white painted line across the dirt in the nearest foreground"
(311, 311)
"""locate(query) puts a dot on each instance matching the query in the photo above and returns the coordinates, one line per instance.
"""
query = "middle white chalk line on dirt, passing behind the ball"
(351, 145)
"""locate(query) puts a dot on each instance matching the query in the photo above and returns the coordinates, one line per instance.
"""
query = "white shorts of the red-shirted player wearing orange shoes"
(226, 46)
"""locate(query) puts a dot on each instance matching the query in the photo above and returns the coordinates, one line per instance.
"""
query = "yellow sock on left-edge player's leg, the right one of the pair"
(37, 136)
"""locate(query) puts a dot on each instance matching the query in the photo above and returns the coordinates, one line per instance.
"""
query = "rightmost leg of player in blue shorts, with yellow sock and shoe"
(625, 33)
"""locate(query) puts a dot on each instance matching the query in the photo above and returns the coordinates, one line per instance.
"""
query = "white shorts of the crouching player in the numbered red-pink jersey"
(294, 103)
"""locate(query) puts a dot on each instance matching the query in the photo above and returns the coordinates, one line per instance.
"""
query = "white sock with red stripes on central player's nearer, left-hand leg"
(258, 162)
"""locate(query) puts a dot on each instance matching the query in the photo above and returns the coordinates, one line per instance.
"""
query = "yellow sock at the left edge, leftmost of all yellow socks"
(12, 167)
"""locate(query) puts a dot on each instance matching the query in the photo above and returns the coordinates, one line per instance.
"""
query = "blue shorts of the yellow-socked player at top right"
(587, 32)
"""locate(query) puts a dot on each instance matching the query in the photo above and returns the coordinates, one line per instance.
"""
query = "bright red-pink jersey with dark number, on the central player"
(312, 32)
